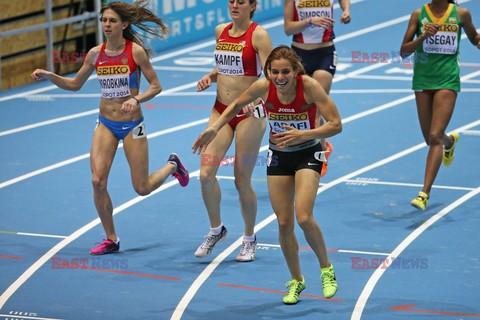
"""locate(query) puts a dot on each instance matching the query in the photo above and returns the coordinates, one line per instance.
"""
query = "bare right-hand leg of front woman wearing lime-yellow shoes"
(306, 186)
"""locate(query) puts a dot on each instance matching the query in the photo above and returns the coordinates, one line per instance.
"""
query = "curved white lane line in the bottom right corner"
(377, 274)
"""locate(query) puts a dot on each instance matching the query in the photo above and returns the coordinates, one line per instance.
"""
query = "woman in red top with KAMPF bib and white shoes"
(240, 53)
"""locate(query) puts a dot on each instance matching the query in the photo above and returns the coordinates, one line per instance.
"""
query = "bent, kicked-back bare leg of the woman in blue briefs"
(136, 152)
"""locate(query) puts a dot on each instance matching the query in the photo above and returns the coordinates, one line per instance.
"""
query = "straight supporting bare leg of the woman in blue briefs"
(104, 147)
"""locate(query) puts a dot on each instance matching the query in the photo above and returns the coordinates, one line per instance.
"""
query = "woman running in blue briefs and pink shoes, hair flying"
(118, 63)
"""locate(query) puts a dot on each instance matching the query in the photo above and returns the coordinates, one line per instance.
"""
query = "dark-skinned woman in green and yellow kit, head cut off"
(436, 78)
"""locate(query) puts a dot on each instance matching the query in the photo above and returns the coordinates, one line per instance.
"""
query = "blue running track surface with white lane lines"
(391, 261)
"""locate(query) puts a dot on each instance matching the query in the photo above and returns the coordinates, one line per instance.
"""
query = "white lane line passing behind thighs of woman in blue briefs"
(87, 155)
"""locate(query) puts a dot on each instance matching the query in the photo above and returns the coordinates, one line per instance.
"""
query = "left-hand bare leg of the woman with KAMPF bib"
(209, 163)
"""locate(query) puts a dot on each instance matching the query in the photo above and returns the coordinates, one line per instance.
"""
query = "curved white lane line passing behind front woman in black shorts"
(182, 305)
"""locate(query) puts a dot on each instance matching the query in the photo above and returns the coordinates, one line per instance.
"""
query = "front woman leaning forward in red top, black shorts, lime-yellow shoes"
(292, 101)
